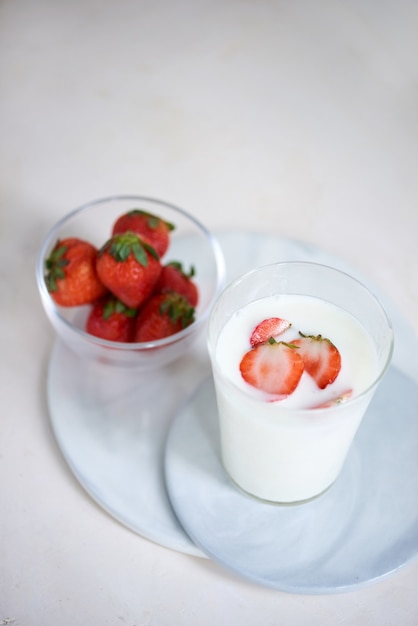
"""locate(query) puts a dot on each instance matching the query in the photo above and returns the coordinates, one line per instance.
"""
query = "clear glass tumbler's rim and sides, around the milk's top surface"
(275, 451)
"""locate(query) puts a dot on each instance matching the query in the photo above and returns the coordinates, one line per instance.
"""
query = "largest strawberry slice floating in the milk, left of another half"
(274, 367)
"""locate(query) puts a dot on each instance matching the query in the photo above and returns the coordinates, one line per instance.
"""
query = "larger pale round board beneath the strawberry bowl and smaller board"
(112, 428)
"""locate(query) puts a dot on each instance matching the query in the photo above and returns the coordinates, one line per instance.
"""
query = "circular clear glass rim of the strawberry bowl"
(54, 309)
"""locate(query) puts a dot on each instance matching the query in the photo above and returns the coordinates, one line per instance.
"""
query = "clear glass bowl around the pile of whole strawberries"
(190, 242)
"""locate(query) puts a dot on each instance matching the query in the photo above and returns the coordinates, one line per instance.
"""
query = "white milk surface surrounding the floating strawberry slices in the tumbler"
(311, 316)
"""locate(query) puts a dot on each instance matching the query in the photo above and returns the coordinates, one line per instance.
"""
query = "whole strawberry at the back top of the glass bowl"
(151, 227)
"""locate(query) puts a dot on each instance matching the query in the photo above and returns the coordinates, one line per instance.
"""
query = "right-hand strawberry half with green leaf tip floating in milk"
(321, 358)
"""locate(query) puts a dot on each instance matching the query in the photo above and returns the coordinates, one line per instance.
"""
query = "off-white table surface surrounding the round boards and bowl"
(296, 118)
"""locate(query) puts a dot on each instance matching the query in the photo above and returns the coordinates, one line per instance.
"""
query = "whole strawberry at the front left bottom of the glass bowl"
(110, 319)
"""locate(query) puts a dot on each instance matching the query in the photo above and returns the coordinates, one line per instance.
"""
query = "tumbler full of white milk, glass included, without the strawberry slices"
(284, 450)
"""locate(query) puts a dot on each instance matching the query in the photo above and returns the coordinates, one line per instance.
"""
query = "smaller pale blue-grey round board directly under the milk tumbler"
(363, 528)
